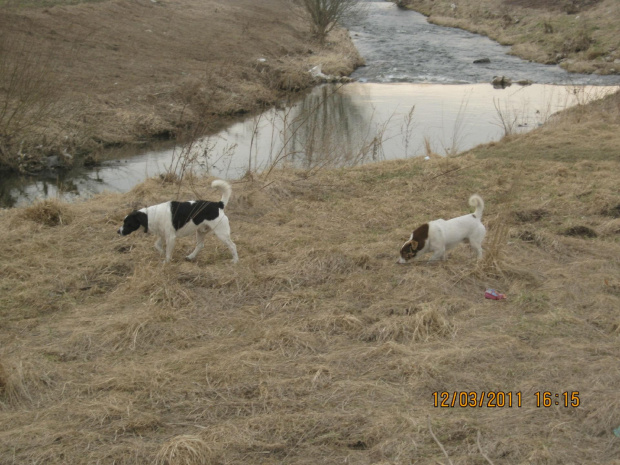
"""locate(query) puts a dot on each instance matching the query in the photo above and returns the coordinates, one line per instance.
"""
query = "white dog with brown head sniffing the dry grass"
(438, 236)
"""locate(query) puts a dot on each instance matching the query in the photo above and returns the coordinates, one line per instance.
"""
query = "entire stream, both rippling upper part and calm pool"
(420, 91)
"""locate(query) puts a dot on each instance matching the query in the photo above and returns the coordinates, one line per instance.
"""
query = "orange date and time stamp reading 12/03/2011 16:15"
(503, 399)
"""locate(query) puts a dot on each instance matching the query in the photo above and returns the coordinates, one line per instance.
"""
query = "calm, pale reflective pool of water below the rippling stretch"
(332, 126)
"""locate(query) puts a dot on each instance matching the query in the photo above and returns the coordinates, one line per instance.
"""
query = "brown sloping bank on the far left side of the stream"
(82, 77)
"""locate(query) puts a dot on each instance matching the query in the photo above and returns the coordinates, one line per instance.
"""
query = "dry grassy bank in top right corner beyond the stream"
(582, 36)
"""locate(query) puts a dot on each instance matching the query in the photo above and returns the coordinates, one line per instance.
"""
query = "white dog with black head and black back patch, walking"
(170, 220)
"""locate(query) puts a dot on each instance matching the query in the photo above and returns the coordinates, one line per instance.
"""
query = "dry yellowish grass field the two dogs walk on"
(317, 348)
